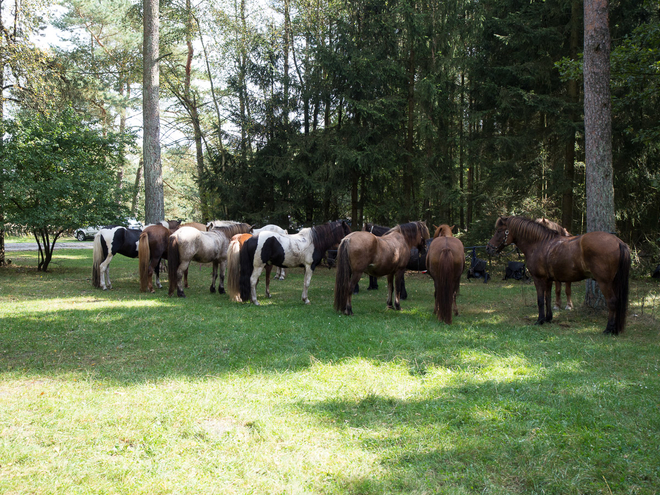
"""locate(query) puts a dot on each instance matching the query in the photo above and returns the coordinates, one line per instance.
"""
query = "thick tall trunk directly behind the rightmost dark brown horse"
(597, 128)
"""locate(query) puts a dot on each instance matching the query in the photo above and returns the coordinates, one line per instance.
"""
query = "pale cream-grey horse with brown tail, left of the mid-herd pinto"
(189, 244)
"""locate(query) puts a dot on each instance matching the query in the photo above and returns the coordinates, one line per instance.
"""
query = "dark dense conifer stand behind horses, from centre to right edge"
(451, 112)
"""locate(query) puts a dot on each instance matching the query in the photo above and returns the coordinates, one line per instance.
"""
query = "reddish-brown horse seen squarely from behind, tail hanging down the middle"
(446, 261)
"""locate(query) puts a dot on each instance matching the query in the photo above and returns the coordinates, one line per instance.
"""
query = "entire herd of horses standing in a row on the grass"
(243, 253)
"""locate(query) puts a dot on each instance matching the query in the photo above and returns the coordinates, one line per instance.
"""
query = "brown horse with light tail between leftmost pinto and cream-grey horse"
(152, 247)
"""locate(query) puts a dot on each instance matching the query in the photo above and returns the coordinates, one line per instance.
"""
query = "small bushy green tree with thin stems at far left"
(58, 173)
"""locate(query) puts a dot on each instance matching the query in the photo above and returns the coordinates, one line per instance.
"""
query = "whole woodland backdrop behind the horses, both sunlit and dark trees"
(296, 112)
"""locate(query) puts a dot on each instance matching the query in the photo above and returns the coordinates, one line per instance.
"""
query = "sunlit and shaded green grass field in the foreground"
(124, 392)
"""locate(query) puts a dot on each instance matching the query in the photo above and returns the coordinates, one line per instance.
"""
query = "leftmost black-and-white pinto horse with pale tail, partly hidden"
(113, 240)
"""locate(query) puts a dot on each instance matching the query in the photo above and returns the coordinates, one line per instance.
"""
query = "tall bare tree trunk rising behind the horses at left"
(154, 203)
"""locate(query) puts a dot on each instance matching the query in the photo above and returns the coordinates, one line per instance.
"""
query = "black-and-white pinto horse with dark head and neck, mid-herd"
(306, 248)
